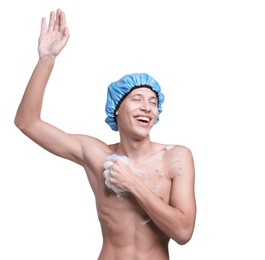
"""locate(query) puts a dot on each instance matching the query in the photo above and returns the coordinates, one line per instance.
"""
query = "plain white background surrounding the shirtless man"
(208, 57)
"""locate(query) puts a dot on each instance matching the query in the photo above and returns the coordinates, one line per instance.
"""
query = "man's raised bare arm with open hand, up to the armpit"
(28, 117)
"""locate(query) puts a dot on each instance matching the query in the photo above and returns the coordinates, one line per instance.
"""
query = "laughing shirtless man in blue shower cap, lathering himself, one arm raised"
(144, 191)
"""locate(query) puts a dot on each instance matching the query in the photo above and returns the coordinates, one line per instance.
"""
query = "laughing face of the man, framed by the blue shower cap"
(138, 111)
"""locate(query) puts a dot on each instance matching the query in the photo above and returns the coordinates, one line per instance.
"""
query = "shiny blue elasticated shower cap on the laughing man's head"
(118, 91)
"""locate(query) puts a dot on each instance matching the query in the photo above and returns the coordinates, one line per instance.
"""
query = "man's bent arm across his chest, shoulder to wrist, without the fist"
(176, 220)
